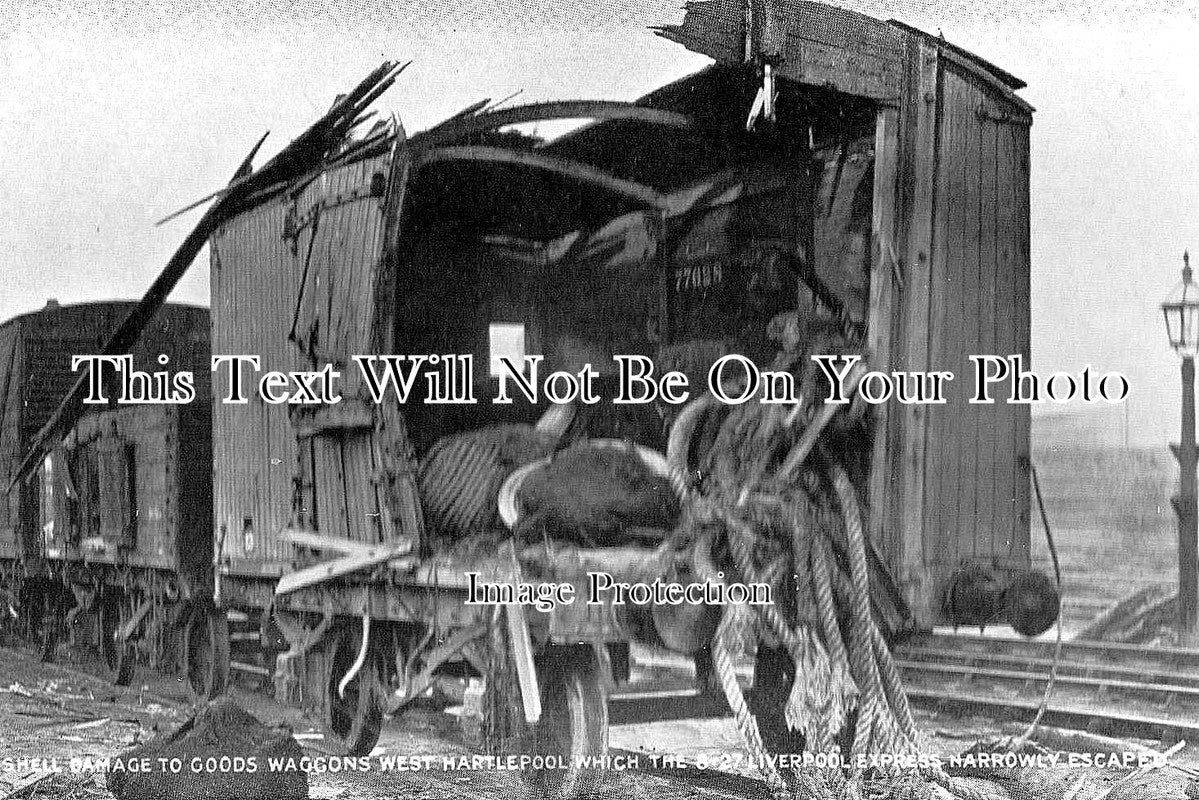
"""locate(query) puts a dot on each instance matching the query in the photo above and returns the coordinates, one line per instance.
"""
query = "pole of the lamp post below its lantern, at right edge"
(1185, 508)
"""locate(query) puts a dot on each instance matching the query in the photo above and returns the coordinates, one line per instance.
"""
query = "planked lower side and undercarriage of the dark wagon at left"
(126, 516)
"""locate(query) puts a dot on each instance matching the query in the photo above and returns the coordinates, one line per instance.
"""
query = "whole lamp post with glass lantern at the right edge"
(1182, 311)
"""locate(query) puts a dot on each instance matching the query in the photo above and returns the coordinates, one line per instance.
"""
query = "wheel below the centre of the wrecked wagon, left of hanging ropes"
(574, 725)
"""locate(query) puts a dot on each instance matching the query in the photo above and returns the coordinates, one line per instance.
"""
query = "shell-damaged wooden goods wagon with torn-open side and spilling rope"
(832, 184)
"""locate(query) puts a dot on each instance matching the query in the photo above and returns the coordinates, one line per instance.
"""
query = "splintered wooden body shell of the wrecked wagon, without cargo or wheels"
(907, 155)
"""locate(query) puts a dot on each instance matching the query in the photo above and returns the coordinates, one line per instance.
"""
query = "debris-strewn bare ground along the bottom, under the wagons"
(52, 714)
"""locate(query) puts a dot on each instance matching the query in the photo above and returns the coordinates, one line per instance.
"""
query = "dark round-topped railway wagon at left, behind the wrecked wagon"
(120, 512)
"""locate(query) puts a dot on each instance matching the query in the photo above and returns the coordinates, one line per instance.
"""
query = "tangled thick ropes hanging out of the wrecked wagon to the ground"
(781, 497)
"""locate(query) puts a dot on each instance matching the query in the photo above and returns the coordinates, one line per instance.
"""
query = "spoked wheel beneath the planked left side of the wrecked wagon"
(357, 717)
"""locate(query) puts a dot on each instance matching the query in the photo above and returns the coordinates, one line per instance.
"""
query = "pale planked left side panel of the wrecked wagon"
(292, 284)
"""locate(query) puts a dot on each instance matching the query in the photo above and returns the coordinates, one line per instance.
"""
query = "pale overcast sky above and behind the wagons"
(113, 116)
